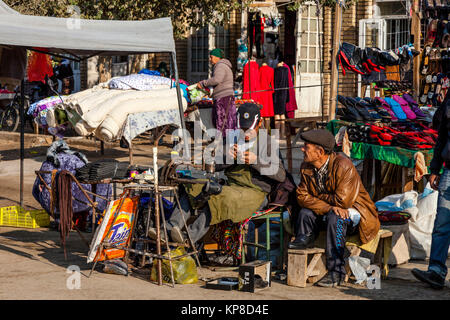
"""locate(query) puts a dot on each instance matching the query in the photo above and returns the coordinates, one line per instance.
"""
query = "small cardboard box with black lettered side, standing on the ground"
(255, 276)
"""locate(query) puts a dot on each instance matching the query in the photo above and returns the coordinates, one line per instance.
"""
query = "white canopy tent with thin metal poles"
(82, 38)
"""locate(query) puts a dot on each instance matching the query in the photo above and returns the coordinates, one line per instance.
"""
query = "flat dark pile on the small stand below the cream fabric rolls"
(103, 169)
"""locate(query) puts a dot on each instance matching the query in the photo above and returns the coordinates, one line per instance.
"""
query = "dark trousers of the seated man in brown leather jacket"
(337, 229)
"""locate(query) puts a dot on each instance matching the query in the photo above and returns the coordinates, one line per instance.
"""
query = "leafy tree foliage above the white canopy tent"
(184, 13)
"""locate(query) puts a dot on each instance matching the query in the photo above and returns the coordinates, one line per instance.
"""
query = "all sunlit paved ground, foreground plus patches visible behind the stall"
(33, 267)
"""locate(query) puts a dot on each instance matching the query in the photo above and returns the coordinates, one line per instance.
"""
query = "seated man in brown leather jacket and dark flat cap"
(332, 197)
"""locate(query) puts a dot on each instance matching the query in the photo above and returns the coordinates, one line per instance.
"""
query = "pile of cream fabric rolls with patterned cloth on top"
(103, 109)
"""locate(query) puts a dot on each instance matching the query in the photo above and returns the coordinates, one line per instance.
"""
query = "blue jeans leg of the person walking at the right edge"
(441, 231)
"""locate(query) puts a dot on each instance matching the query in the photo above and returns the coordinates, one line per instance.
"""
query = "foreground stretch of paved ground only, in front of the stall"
(33, 267)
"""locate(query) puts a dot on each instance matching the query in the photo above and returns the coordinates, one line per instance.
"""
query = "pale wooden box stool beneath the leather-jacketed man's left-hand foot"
(307, 265)
